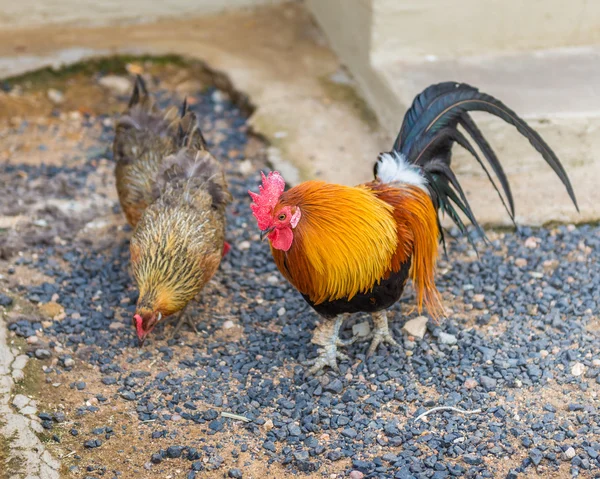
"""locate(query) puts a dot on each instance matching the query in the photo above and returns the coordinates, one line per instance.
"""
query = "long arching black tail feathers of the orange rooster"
(430, 128)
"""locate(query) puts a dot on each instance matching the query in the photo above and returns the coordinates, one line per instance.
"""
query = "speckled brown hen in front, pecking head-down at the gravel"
(179, 240)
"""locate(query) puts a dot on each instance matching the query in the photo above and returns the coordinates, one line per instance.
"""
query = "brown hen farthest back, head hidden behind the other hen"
(144, 136)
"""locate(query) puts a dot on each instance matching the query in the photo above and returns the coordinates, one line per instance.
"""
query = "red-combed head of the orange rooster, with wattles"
(275, 220)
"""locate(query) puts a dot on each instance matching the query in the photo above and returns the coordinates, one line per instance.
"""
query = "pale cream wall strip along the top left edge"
(28, 13)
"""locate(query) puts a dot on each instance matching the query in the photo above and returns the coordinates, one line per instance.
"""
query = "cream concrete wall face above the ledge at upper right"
(416, 28)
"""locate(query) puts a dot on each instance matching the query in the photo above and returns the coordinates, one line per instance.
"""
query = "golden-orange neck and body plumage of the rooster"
(349, 239)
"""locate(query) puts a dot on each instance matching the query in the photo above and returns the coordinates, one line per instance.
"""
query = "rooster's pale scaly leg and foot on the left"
(327, 335)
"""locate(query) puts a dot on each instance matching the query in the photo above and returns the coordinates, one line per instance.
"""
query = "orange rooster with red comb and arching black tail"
(352, 249)
